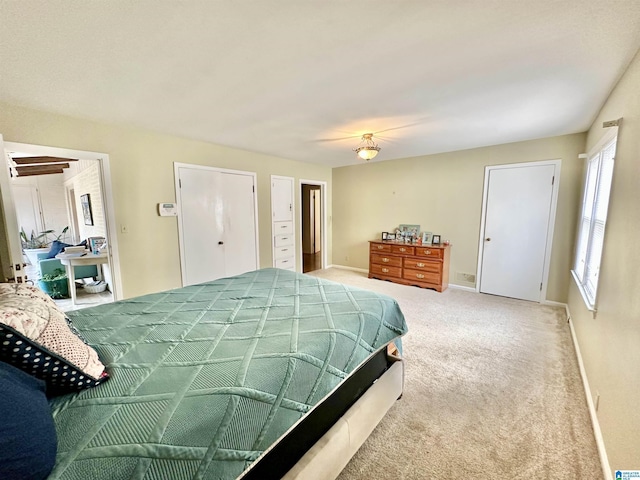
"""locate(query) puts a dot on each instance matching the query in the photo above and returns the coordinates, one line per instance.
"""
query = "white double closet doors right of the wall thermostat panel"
(217, 223)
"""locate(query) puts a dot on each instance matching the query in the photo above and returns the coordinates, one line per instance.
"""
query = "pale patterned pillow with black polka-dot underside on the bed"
(35, 337)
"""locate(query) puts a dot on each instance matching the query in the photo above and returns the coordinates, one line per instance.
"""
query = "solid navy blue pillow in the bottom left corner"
(27, 434)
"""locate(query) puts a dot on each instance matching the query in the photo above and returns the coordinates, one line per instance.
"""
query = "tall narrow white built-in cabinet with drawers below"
(282, 224)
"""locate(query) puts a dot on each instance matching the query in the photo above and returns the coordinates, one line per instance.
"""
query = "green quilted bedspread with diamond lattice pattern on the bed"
(204, 378)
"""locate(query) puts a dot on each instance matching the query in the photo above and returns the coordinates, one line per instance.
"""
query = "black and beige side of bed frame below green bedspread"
(321, 444)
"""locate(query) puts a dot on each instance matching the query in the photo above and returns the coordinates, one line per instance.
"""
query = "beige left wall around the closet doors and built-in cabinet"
(142, 177)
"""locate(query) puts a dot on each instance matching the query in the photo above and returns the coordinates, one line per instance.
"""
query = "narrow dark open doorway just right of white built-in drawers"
(312, 227)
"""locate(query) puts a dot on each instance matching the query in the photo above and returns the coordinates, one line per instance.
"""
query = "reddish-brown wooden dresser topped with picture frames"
(425, 266)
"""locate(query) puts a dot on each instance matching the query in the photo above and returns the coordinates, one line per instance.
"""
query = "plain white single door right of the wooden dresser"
(517, 222)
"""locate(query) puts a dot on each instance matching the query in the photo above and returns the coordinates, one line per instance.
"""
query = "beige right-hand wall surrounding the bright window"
(610, 343)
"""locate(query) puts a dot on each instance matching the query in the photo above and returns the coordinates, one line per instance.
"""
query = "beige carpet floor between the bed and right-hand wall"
(492, 391)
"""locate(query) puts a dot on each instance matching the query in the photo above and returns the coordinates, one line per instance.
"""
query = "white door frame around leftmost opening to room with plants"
(106, 188)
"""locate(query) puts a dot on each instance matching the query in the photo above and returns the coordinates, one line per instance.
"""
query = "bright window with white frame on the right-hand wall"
(593, 220)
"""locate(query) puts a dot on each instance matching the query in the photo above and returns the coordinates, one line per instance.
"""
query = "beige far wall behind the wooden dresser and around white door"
(443, 194)
